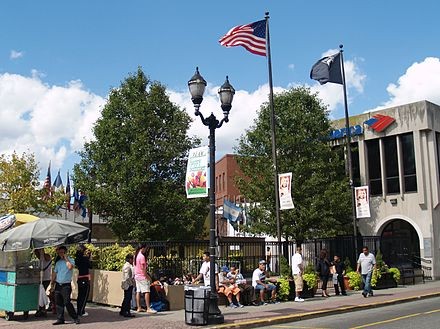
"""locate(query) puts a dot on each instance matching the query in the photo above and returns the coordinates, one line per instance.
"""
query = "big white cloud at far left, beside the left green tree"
(50, 121)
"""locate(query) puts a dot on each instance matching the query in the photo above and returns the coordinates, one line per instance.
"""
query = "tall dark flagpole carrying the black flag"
(349, 162)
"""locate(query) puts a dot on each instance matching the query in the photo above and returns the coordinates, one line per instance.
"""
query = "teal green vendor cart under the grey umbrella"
(19, 283)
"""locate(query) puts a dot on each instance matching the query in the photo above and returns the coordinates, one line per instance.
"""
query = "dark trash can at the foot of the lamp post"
(197, 304)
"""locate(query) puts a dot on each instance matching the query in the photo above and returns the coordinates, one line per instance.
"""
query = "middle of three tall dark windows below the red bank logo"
(391, 165)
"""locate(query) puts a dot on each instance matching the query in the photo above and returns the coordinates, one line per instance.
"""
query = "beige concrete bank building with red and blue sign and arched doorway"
(396, 153)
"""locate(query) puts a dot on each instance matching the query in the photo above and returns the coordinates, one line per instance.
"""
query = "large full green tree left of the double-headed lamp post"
(134, 170)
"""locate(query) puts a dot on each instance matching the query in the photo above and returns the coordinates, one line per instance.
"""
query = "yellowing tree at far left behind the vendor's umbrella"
(19, 187)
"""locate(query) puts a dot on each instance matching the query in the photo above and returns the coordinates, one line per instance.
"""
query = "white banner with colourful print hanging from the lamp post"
(196, 183)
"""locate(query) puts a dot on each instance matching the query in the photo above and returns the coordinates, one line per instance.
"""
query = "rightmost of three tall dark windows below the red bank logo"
(409, 162)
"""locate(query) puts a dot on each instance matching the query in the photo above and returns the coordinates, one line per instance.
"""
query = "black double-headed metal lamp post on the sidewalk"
(226, 92)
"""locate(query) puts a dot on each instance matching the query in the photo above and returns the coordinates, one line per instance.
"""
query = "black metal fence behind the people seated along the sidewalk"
(178, 258)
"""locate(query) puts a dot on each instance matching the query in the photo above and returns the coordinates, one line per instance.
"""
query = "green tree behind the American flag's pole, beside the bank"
(320, 188)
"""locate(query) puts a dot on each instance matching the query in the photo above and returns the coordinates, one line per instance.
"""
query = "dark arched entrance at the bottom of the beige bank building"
(400, 244)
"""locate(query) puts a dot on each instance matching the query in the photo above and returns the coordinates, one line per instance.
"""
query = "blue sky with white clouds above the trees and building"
(59, 59)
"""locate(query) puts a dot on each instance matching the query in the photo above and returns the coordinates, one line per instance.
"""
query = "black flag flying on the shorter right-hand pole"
(327, 69)
